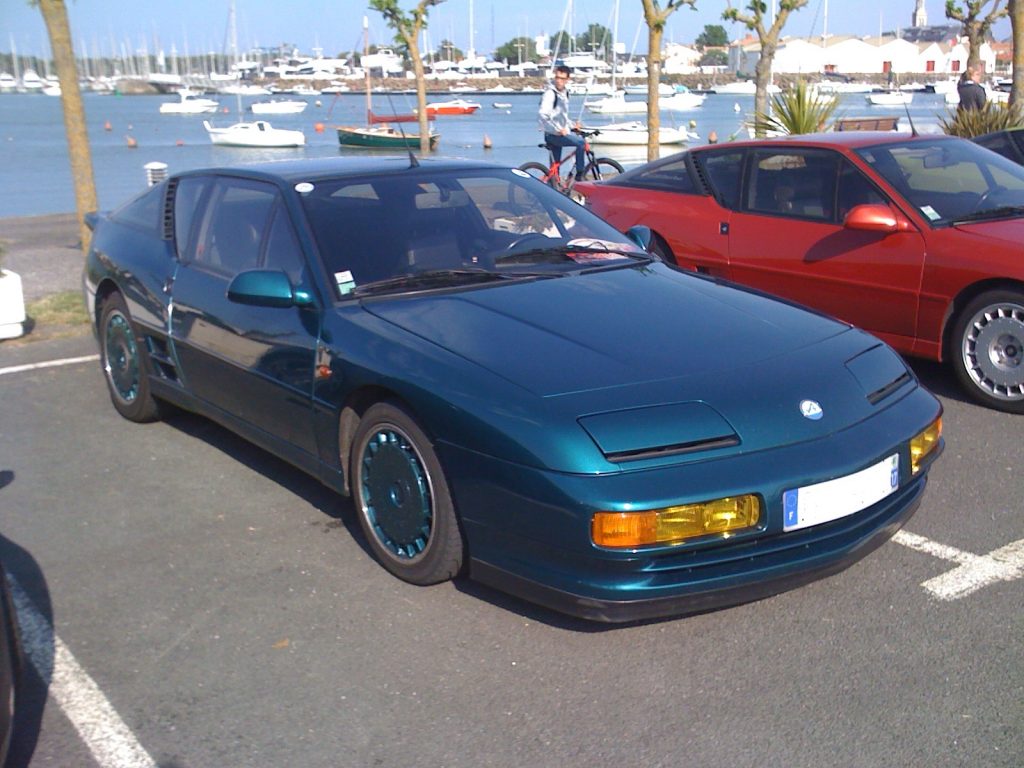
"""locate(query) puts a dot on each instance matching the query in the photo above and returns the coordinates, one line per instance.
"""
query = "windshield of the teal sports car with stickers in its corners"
(425, 231)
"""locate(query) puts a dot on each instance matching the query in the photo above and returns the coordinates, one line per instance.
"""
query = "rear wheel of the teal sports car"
(125, 364)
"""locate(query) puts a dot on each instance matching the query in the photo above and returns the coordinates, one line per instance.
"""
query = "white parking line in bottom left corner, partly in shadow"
(112, 745)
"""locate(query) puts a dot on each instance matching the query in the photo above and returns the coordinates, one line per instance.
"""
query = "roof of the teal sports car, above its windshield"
(292, 172)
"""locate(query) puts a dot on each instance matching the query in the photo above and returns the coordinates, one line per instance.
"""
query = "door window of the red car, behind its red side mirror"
(798, 184)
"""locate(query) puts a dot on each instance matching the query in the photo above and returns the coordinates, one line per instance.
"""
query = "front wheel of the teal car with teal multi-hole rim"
(403, 499)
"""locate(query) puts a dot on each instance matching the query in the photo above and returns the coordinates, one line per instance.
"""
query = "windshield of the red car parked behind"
(951, 181)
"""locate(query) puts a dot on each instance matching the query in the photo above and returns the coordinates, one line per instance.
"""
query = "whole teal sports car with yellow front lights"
(506, 387)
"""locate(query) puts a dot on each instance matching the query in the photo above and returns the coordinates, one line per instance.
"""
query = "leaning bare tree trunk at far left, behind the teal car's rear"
(56, 17)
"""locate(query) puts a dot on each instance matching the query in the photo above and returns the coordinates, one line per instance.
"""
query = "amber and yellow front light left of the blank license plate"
(675, 525)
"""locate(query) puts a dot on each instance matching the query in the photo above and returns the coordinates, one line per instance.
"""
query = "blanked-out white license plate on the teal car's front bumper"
(832, 500)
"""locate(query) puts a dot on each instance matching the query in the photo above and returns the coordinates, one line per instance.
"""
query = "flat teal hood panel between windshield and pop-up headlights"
(609, 329)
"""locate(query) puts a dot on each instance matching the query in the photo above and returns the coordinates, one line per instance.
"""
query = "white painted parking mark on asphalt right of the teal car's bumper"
(973, 572)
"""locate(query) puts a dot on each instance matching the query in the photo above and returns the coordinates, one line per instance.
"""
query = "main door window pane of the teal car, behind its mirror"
(237, 217)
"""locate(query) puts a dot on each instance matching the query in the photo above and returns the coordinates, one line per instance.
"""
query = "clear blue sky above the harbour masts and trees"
(335, 26)
